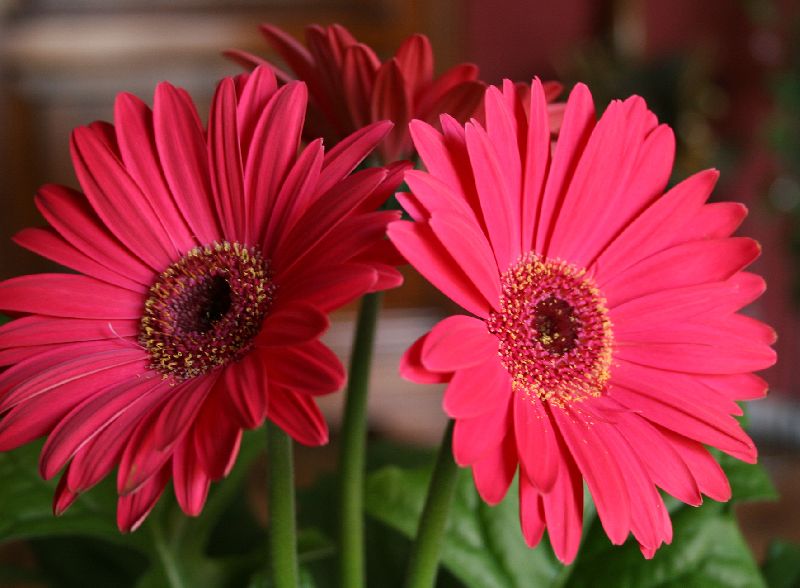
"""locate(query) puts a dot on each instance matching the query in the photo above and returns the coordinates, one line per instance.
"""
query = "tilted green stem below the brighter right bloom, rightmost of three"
(424, 561)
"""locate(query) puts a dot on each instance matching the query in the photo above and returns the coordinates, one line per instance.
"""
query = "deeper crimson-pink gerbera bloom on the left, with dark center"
(207, 262)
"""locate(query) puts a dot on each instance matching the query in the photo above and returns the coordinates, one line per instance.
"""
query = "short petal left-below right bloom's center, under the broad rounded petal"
(476, 390)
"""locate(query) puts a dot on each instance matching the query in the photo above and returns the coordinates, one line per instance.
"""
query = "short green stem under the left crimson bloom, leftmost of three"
(283, 536)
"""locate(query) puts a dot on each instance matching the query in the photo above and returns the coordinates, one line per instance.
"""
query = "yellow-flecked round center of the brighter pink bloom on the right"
(555, 335)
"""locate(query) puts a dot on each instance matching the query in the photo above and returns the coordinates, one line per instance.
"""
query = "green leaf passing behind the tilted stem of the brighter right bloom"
(483, 546)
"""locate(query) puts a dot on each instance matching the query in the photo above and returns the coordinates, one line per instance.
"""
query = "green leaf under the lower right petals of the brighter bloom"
(707, 551)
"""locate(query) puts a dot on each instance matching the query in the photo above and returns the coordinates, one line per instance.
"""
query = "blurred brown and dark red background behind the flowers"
(724, 73)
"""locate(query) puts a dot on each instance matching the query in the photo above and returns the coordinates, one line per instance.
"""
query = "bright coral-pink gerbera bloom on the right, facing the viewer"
(604, 343)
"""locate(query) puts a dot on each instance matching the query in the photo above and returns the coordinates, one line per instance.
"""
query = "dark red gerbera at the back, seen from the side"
(350, 87)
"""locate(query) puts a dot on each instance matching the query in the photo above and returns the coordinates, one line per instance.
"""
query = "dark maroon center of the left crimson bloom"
(204, 310)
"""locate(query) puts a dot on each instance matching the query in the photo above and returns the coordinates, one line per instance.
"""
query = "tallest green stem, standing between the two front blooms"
(352, 457)
